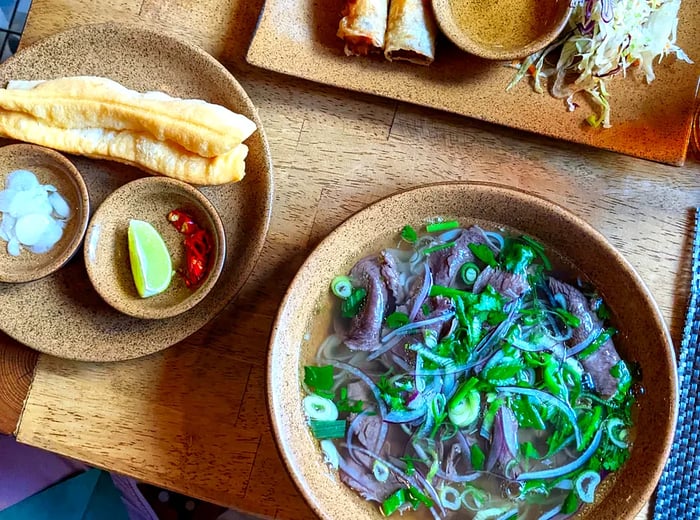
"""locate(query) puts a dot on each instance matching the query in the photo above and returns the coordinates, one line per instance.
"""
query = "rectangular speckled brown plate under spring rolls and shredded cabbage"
(297, 37)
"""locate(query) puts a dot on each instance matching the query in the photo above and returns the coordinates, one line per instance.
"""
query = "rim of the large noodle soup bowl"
(634, 504)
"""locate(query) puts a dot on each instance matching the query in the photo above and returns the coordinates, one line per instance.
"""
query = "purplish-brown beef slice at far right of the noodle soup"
(602, 360)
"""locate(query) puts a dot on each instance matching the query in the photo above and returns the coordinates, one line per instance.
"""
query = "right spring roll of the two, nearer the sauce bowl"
(411, 32)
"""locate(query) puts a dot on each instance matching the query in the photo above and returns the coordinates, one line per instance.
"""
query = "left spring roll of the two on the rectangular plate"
(363, 26)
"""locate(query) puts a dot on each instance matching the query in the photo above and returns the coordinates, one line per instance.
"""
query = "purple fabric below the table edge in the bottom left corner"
(24, 471)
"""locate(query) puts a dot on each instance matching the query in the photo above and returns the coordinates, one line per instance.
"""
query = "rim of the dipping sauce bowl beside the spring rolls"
(450, 28)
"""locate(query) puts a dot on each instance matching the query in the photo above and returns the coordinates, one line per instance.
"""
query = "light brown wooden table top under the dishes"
(193, 418)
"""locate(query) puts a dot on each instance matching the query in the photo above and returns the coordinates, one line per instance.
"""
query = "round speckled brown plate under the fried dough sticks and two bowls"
(62, 314)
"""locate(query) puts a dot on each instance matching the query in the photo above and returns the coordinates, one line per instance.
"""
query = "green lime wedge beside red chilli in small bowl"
(150, 261)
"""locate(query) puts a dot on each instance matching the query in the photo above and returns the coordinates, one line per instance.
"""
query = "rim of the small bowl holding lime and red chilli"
(216, 267)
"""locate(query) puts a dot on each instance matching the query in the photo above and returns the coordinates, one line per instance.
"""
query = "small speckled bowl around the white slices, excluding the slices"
(52, 168)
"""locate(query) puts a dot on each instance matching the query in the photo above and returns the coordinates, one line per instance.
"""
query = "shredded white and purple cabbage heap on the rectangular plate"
(605, 38)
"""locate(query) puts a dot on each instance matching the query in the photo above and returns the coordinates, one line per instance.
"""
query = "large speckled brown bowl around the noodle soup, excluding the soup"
(304, 320)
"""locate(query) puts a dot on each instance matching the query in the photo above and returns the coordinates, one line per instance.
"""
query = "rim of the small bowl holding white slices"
(66, 166)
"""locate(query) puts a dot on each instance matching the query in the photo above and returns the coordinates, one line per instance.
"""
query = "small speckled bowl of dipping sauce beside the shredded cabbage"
(504, 30)
